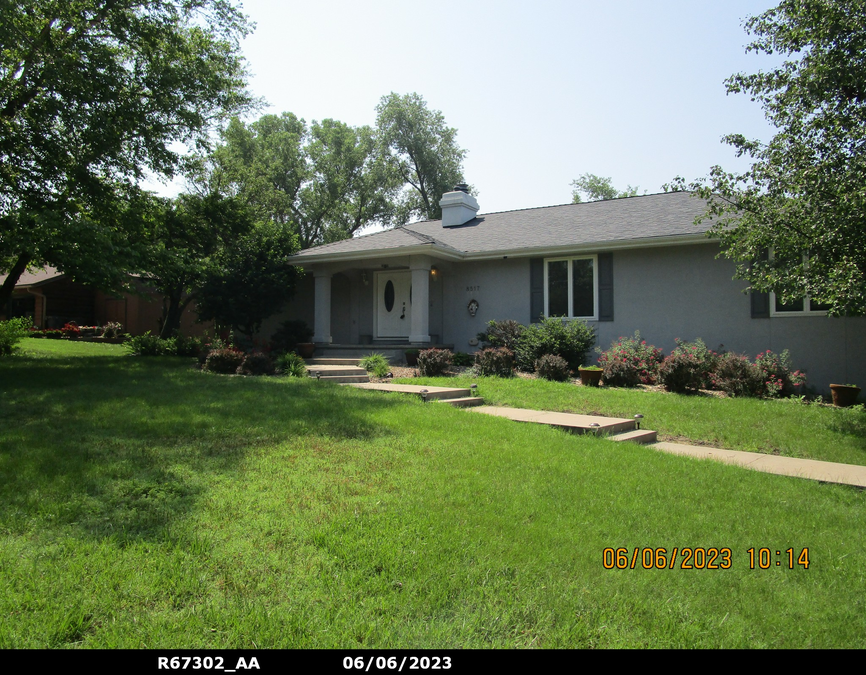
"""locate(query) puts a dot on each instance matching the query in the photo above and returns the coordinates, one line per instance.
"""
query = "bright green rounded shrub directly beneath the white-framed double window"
(570, 339)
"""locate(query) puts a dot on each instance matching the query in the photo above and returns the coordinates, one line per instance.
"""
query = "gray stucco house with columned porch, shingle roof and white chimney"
(638, 263)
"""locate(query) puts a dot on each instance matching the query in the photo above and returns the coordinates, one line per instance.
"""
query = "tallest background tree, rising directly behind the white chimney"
(422, 150)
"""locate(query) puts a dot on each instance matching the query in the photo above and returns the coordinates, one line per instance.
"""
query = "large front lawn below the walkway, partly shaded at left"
(146, 504)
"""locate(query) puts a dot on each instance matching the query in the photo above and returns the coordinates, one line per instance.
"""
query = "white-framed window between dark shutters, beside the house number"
(571, 287)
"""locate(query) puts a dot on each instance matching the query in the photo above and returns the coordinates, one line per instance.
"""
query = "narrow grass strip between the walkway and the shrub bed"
(784, 427)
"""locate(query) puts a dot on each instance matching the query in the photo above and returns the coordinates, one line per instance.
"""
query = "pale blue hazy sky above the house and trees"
(539, 92)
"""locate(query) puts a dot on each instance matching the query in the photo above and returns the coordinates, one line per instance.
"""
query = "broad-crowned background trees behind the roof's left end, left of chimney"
(324, 183)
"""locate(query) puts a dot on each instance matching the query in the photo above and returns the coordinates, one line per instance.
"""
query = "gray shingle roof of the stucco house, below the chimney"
(574, 225)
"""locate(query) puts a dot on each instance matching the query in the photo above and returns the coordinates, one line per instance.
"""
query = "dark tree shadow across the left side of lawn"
(123, 447)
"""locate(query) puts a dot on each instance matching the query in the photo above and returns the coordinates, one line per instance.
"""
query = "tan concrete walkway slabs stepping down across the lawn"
(613, 428)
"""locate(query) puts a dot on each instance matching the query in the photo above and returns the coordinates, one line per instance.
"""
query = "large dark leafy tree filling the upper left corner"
(94, 94)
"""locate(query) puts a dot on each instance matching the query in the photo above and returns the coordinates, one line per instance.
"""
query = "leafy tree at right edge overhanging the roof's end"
(804, 197)
